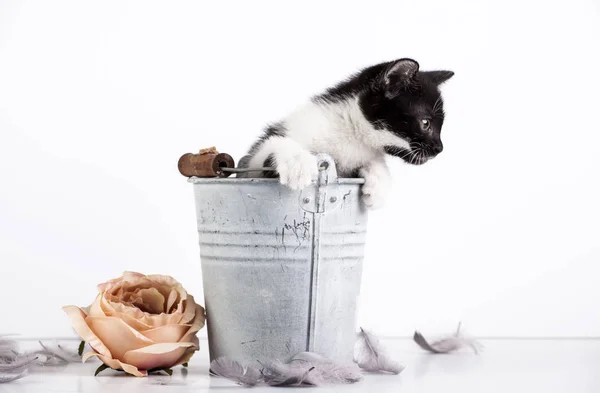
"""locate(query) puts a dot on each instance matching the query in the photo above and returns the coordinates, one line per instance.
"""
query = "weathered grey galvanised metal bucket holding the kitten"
(281, 268)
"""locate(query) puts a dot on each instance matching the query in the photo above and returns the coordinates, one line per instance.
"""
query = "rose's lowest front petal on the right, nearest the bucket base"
(157, 355)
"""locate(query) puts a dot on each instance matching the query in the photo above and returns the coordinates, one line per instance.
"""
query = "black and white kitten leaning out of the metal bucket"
(389, 108)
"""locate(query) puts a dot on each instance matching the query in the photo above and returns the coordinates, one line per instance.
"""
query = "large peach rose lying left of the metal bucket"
(139, 323)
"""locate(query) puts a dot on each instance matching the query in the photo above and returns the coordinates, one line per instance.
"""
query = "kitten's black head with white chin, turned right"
(406, 109)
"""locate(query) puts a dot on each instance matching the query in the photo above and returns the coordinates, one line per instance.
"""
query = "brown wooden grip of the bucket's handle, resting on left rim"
(205, 165)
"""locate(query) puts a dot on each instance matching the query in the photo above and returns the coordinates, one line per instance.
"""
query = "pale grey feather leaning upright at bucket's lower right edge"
(370, 355)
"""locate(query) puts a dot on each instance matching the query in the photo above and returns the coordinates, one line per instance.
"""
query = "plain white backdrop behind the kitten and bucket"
(98, 100)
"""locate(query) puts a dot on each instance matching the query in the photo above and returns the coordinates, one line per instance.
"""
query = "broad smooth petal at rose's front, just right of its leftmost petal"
(117, 335)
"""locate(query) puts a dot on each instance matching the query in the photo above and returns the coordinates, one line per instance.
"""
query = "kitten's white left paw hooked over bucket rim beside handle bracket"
(297, 171)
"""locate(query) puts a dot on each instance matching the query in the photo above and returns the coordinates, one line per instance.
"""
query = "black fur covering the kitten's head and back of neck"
(398, 97)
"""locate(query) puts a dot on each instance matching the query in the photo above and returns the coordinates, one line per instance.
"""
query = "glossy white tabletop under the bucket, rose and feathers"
(506, 366)
